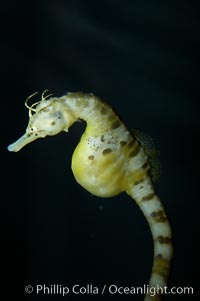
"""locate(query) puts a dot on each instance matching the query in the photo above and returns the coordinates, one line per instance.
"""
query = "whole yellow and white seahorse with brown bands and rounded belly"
(108, 160)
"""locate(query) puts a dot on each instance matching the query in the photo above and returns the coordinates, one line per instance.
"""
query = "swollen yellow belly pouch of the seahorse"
(97, 175)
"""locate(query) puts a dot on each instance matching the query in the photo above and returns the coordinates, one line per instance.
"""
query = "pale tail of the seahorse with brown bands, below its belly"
(149, 203)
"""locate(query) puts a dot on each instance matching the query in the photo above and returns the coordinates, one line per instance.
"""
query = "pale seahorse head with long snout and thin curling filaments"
(45, 119)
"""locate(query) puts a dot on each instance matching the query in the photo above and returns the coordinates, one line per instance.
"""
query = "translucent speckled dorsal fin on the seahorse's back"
(152, 152)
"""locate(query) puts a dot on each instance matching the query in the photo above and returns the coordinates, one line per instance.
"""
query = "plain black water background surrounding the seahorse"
(143, 58)
